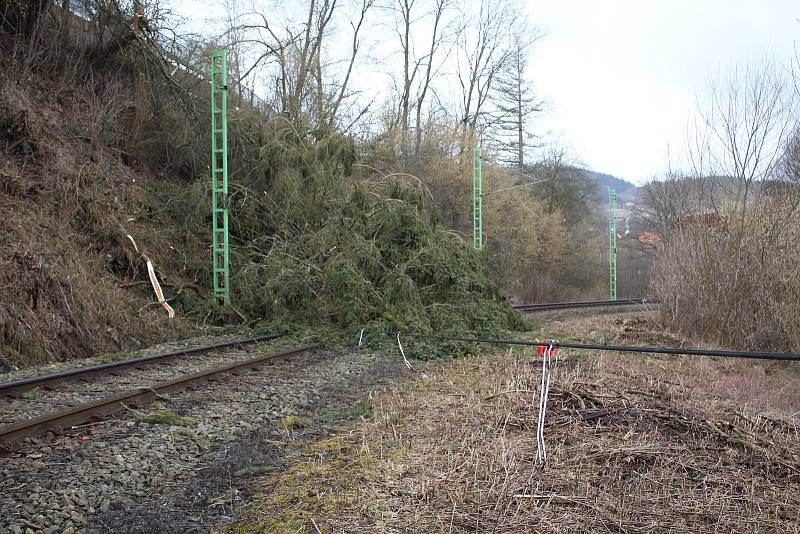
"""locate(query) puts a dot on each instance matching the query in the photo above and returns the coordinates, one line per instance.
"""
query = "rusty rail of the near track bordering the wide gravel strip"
(13, 434)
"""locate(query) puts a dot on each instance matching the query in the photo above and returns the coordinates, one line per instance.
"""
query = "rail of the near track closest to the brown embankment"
(26, 384)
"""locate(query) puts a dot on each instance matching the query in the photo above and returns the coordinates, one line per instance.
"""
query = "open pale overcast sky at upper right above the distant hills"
(622, 75)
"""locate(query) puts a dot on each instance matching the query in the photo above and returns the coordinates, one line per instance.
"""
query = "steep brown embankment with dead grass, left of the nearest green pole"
(75, 182)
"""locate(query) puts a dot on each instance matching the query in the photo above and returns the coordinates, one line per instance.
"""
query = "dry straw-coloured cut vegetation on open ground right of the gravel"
(628, 451)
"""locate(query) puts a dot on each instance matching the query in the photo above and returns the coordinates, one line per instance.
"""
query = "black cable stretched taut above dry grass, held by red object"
(622, 348)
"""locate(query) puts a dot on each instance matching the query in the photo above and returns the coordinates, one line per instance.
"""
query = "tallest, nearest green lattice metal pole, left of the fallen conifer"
(219, 175)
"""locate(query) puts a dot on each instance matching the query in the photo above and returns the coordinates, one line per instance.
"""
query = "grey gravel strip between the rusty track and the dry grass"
(184, 475)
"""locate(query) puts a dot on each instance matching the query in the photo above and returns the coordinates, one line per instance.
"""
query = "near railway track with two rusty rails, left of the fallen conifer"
(100, 404)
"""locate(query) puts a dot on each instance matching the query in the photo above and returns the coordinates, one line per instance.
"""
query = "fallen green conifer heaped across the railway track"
(332, 249)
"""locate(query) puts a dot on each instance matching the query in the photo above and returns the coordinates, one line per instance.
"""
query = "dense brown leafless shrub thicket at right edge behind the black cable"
(741, 288)
